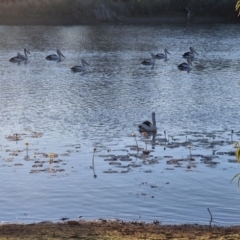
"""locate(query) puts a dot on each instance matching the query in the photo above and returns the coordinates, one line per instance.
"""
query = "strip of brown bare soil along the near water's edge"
(115, 230)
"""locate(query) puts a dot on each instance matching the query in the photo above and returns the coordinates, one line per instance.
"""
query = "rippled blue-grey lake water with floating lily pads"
(68, 114)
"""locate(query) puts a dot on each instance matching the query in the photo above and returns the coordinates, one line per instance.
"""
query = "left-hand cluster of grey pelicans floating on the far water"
(53, 57)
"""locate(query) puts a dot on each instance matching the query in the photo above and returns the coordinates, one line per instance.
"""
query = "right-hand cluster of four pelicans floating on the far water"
(185, 66)
